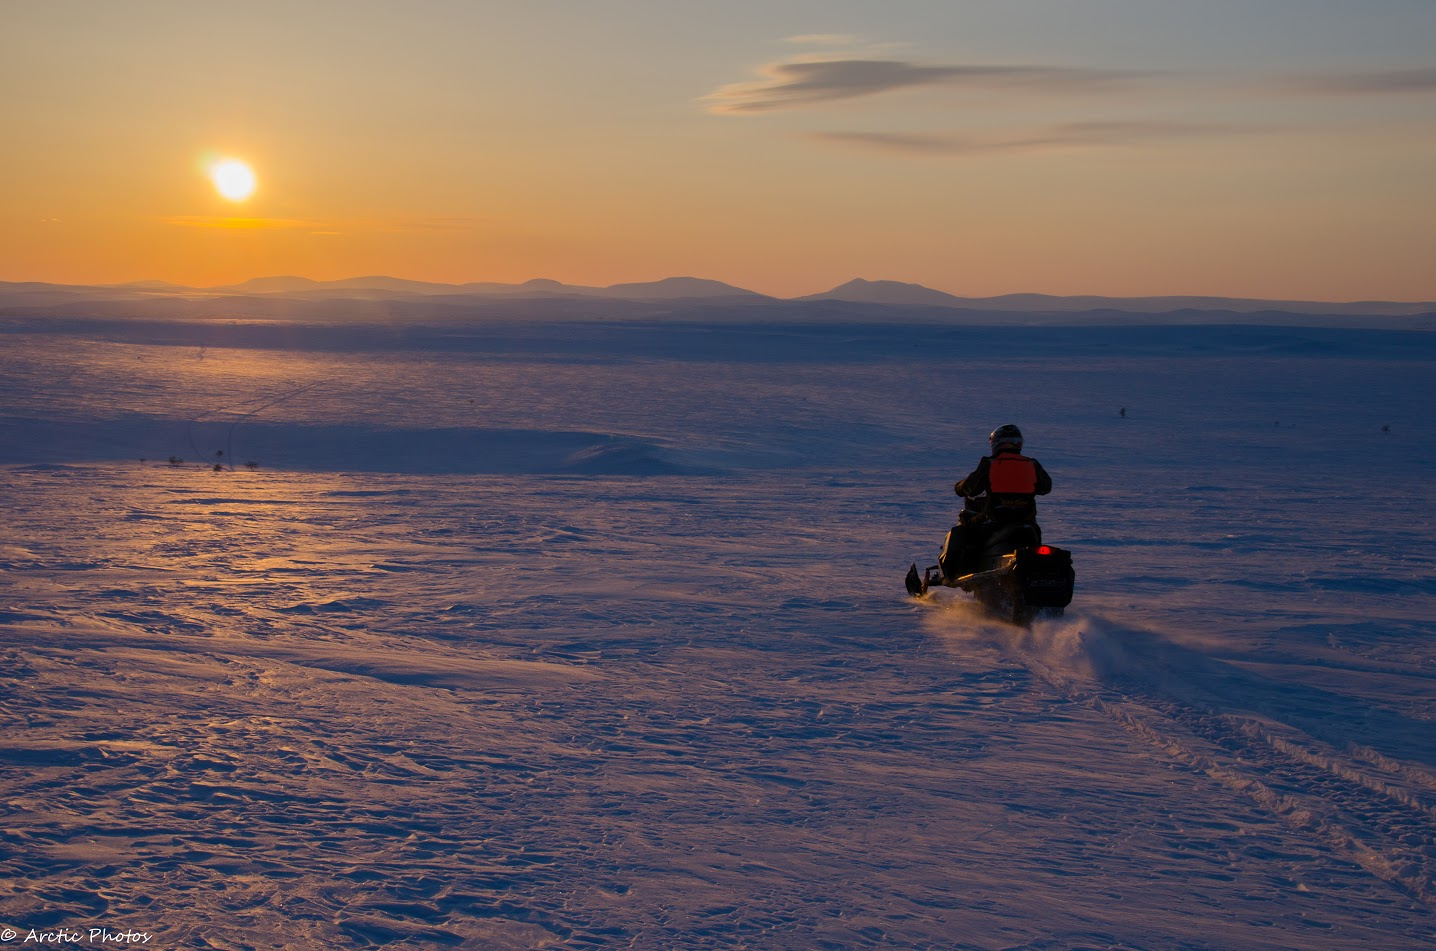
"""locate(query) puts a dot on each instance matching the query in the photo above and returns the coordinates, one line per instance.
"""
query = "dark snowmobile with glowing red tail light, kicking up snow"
(1016, 577)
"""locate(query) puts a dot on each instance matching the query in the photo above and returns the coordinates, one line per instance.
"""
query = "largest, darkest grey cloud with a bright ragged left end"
(805, 83)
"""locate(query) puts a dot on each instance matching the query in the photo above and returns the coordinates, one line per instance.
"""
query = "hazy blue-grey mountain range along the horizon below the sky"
(885, 298)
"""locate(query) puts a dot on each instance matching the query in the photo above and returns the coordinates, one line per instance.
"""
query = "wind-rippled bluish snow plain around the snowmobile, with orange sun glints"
(594, 636)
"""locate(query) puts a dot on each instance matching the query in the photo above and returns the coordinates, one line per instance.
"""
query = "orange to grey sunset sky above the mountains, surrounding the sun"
(1256, 149)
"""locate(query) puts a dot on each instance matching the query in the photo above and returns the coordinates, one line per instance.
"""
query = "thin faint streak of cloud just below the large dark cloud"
(1048, 139)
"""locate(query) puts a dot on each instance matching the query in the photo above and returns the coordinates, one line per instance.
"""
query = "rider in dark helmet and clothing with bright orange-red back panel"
(1000, 492)
